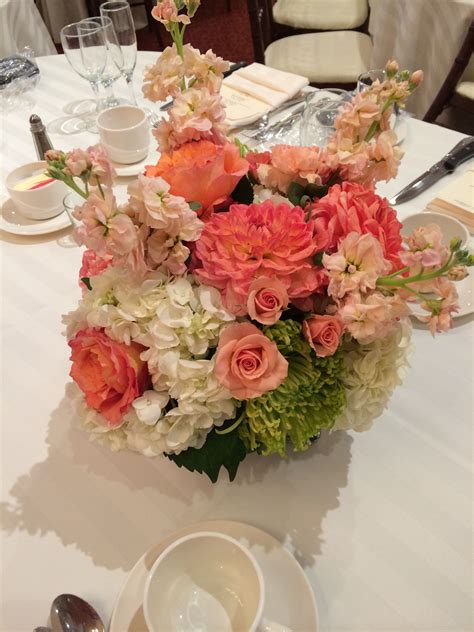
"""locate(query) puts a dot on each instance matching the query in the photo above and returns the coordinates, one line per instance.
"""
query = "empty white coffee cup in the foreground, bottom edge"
(206, 581)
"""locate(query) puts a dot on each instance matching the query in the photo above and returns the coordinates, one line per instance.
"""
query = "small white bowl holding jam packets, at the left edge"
(42, 203)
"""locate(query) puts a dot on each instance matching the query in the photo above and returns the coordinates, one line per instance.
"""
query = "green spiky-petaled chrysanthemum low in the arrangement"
(310, 398)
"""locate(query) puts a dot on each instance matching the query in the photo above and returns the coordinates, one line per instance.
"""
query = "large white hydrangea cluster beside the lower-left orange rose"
(178, 322)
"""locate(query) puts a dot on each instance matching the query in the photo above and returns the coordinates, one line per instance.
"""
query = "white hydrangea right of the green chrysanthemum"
(373, 372)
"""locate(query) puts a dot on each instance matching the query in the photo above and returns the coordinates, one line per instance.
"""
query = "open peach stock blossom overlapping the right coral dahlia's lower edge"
(356, 265)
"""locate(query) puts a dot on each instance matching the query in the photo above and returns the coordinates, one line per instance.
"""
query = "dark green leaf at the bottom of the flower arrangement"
(219, 451)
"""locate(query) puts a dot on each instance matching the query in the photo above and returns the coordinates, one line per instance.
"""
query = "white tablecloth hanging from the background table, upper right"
(424, 34)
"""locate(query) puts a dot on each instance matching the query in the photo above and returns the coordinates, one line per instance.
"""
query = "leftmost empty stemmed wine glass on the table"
(86, 52)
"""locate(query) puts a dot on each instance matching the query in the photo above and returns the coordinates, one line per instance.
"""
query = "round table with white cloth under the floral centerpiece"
(380, 522)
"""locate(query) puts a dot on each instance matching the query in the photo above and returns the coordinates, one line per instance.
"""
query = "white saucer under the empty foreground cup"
(289, 599)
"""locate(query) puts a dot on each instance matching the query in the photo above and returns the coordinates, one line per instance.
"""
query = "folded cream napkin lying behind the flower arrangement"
(256, 89)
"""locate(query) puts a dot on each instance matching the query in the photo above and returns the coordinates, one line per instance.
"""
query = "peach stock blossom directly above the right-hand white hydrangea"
(370, 317)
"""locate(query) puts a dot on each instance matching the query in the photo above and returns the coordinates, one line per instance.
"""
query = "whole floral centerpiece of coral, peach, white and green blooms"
(241, 302)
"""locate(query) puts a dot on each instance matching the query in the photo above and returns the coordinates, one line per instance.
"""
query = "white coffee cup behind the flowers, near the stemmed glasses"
(125, 133)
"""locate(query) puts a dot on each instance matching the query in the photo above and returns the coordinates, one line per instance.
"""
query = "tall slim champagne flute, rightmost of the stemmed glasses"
(119, 12)
